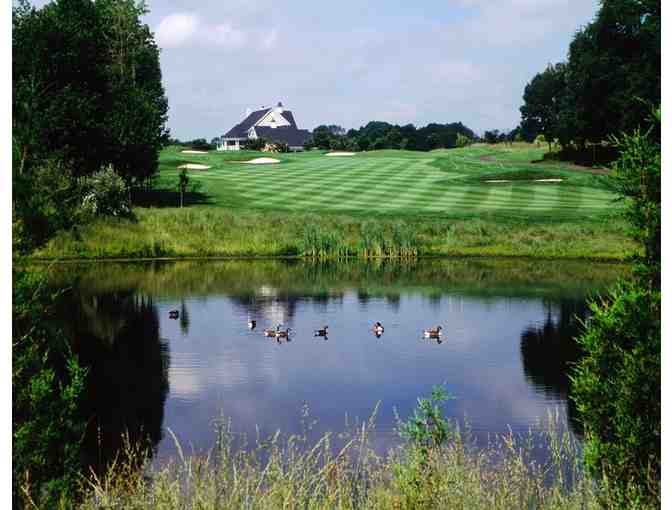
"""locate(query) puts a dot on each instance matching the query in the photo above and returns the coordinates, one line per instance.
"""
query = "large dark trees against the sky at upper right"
(607, 86)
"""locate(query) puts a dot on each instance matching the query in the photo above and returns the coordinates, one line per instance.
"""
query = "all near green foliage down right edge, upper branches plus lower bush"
(617, 384)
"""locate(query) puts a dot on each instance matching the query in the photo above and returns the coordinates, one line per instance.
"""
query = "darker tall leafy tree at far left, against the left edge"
(60, 87)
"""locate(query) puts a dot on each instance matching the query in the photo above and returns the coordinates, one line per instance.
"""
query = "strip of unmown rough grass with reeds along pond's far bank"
(212, 232)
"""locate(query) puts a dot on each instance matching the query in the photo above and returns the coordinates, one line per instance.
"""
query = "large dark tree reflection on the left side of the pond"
(116, 336)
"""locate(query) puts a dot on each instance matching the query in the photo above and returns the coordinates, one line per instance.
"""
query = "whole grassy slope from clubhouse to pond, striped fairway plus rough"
(439, 196)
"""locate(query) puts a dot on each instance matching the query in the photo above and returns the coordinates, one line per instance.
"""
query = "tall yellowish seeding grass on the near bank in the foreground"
(345, 472)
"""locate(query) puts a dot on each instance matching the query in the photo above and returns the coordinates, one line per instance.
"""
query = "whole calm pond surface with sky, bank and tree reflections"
(504, 352)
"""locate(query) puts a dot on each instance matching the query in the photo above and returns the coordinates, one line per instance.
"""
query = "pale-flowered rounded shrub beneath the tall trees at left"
(105, 194)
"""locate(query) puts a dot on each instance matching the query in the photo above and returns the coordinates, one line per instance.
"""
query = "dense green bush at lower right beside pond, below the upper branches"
(617, 391)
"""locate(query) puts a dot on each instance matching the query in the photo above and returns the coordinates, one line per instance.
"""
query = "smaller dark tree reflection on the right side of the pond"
(548, 351)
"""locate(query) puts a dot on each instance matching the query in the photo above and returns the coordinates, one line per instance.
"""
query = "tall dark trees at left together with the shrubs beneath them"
(86, 97)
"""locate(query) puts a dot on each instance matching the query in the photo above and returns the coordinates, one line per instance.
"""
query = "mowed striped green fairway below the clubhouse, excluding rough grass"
(443, 183)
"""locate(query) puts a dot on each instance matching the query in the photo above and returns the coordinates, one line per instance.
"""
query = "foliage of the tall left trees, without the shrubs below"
(87, 87)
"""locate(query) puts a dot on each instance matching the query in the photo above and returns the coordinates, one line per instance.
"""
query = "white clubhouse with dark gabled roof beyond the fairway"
(273, 124)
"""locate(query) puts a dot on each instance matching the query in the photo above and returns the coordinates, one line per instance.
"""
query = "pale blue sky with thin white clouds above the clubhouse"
(349, 62)
